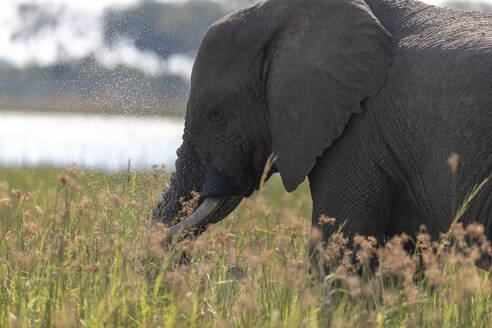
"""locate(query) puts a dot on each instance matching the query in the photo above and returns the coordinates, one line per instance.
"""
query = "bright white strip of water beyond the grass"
(100, 142)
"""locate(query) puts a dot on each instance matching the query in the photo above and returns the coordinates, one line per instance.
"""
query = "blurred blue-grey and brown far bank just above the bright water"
(87, 86)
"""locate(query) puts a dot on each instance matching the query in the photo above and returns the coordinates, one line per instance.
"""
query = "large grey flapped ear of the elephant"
(324, 58)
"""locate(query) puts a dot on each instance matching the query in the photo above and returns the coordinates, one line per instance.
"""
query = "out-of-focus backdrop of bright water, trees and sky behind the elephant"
(103, 83)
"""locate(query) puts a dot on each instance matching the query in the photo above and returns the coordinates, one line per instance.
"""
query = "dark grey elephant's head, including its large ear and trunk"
(283, 77)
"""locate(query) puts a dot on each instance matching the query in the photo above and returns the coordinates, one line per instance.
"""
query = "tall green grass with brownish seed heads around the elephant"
(76, 251)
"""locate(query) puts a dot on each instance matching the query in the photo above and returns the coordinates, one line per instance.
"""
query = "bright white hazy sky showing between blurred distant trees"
(79, 34)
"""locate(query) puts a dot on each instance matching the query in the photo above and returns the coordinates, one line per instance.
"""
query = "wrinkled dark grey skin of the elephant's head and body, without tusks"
(366, 99)
